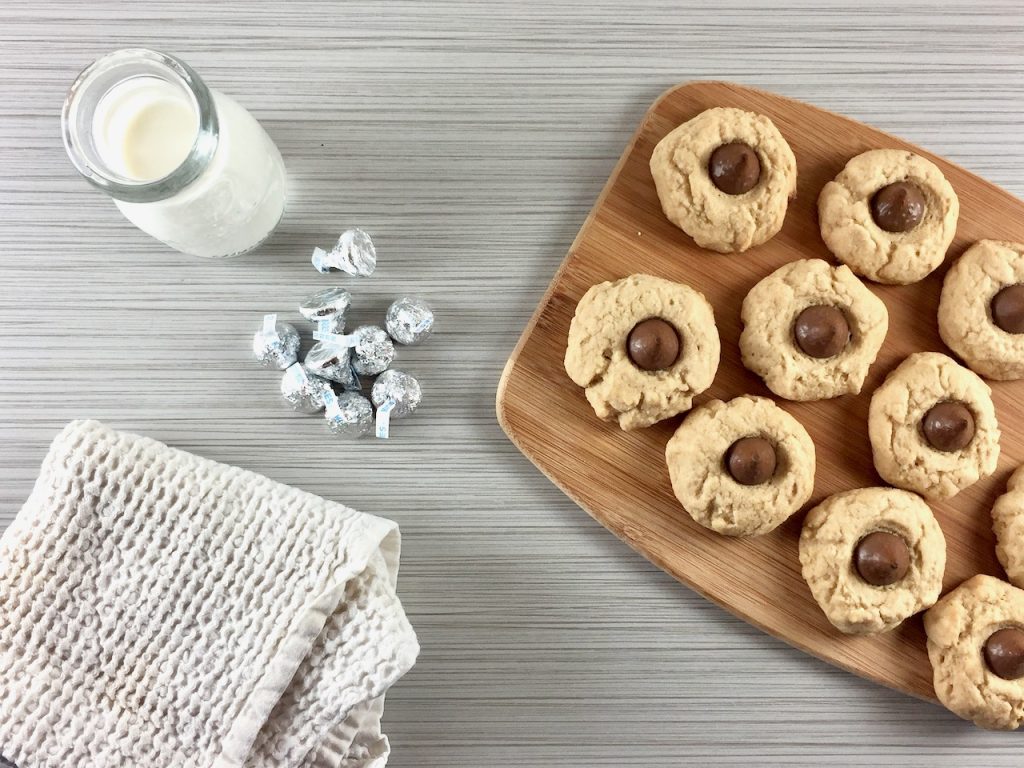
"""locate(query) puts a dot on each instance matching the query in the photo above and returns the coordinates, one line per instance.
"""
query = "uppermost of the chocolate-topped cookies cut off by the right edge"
(982, 312)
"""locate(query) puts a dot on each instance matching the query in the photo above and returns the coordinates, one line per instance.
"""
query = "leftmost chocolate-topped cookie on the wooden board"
(643, 348)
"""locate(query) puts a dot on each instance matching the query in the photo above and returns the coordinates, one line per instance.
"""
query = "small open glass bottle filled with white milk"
(184, 163)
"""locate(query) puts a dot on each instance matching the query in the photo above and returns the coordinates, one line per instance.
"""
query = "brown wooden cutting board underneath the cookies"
(621, 479)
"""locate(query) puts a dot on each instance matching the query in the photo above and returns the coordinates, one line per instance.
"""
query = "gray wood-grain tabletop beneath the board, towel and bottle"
(472, 140)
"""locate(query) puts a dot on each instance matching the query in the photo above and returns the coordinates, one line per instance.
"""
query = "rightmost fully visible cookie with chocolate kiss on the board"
(932, 426)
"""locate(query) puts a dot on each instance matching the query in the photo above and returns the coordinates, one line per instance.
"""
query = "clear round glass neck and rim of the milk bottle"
(92, 154)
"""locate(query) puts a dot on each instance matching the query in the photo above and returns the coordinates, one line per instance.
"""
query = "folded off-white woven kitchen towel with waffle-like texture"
(161, 610)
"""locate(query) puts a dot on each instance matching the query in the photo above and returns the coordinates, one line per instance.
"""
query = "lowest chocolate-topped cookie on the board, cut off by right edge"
(976, 646)
